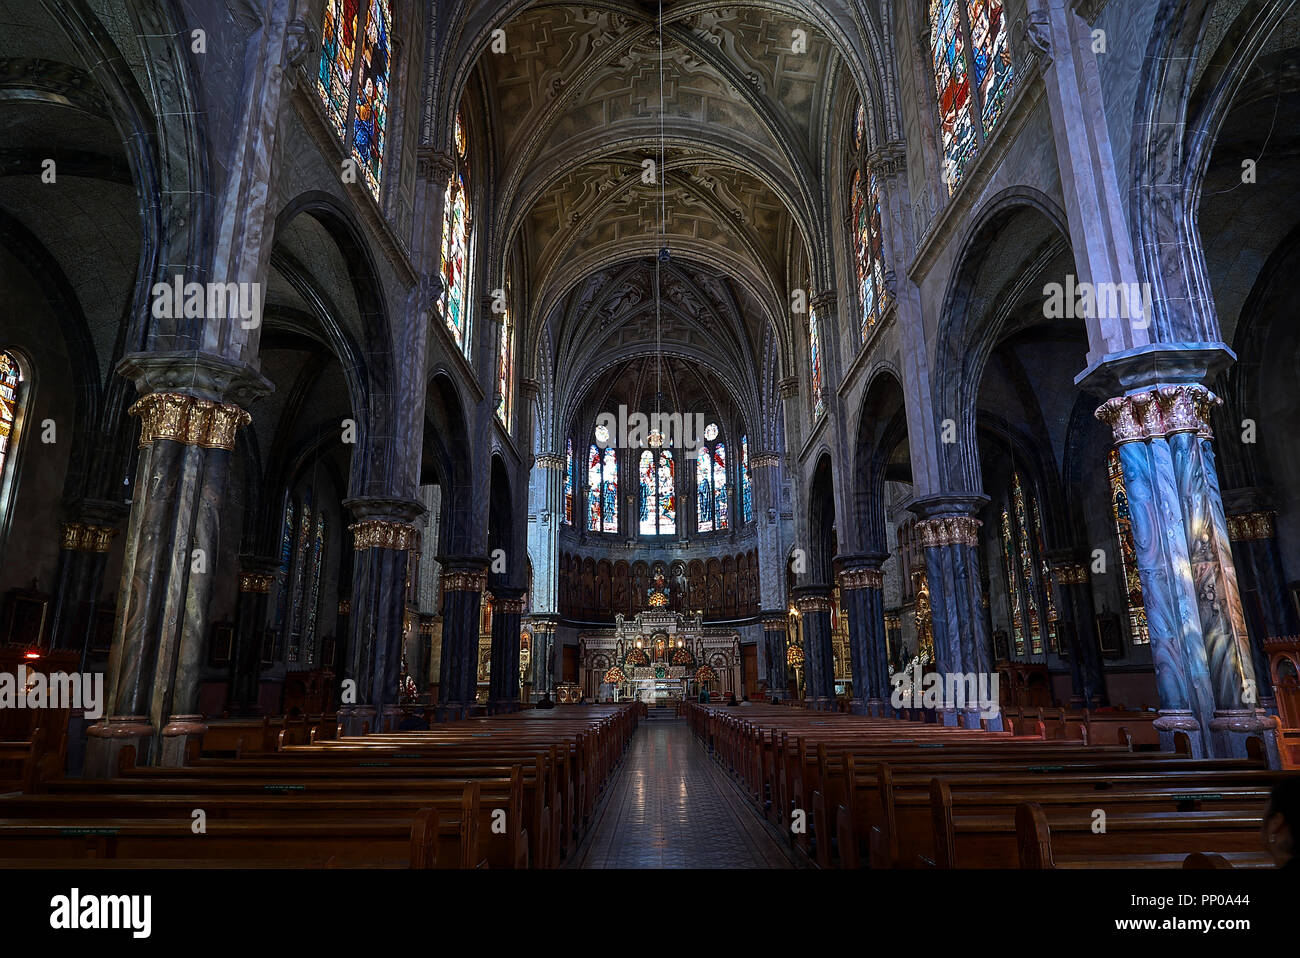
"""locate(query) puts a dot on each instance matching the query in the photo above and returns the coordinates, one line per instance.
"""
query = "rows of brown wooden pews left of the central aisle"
(504, 792)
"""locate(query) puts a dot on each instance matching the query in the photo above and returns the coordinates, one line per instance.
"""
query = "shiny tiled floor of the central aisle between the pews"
(671, 808)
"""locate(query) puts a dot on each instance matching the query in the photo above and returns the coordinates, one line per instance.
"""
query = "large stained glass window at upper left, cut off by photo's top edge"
(353, 81)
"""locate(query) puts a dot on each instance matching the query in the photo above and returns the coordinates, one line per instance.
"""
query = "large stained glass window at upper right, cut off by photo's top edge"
(968, 42)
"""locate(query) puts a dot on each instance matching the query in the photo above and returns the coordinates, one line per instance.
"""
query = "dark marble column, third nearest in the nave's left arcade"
(463, 582)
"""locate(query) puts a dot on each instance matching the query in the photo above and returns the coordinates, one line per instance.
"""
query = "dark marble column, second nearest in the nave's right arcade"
(950, 536)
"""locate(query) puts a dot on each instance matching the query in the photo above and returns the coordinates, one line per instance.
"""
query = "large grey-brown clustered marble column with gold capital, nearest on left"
(171, 553)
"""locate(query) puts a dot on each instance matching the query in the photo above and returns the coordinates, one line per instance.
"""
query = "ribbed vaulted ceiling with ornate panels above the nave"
(574, 115)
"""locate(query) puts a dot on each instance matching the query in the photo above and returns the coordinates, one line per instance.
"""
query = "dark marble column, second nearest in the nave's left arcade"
(383, 539)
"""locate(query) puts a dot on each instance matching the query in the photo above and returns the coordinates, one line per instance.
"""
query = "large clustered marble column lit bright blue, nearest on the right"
(1204, 670)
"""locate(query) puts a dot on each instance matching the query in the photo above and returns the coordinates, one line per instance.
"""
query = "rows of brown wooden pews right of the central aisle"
(887, 794)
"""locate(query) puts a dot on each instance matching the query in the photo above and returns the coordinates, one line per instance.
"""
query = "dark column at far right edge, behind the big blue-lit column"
(1259, 562)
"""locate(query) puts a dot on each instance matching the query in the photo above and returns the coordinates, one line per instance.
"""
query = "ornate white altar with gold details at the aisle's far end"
(658, 657)
